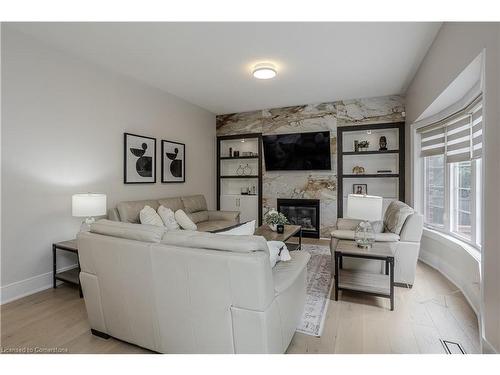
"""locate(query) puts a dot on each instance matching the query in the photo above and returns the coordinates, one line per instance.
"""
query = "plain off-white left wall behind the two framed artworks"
(63, 121)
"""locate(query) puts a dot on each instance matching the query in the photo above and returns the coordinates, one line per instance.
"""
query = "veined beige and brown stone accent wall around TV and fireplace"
(320, 185)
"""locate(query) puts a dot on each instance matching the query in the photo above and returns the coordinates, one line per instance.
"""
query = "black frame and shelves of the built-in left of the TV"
(257, 136)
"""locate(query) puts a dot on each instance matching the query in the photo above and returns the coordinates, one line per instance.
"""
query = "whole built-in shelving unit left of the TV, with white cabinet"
(239, 178)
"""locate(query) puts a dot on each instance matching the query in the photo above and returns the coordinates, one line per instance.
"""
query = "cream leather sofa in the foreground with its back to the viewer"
(189, 292)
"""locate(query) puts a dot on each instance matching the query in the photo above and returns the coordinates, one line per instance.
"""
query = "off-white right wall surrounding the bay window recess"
(455, 47)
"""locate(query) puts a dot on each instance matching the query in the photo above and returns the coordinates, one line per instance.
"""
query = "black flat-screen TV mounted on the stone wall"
(297, 152)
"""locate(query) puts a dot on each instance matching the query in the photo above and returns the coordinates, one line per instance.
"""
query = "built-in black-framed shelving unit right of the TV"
(388, 184)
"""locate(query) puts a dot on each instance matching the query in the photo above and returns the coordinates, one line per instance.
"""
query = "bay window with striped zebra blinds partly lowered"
(452, 193)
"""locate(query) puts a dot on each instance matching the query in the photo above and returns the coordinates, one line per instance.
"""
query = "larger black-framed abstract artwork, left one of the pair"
(139, 159)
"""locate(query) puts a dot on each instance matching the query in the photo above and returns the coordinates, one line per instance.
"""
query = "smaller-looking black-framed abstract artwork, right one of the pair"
(173, 161)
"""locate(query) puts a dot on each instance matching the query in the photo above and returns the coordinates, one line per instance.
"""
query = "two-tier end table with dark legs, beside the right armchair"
(381, 285)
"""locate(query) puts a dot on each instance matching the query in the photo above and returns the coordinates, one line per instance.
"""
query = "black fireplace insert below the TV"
(303, 212)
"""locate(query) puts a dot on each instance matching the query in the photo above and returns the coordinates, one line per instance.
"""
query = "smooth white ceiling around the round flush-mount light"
(209, 64)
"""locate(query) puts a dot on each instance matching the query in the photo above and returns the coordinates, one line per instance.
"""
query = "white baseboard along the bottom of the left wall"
(26, 287)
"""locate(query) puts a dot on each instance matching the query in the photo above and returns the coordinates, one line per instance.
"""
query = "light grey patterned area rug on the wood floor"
(319, 283)
